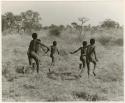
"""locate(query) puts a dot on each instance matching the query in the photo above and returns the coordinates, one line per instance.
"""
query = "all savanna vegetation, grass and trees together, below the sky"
(60, 85)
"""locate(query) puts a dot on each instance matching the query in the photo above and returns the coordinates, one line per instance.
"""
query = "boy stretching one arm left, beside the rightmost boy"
(82, 56)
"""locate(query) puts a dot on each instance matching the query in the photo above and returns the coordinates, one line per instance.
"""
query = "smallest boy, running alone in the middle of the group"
(53, 53)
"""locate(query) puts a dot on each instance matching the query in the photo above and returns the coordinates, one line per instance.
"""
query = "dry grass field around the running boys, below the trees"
(60, 85)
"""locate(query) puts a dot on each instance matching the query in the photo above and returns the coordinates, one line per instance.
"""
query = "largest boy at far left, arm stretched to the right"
(33, 51)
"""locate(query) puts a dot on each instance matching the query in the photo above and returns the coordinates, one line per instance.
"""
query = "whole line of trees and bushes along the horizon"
(31, 20)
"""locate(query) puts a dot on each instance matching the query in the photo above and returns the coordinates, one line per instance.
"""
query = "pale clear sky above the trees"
(62, 12)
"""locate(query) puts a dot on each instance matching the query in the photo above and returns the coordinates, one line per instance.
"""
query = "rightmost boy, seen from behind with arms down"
(91, 56)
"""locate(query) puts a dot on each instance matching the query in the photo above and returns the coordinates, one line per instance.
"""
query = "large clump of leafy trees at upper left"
(24, 21)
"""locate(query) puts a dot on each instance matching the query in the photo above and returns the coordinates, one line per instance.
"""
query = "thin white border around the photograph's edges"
(65, 1)
